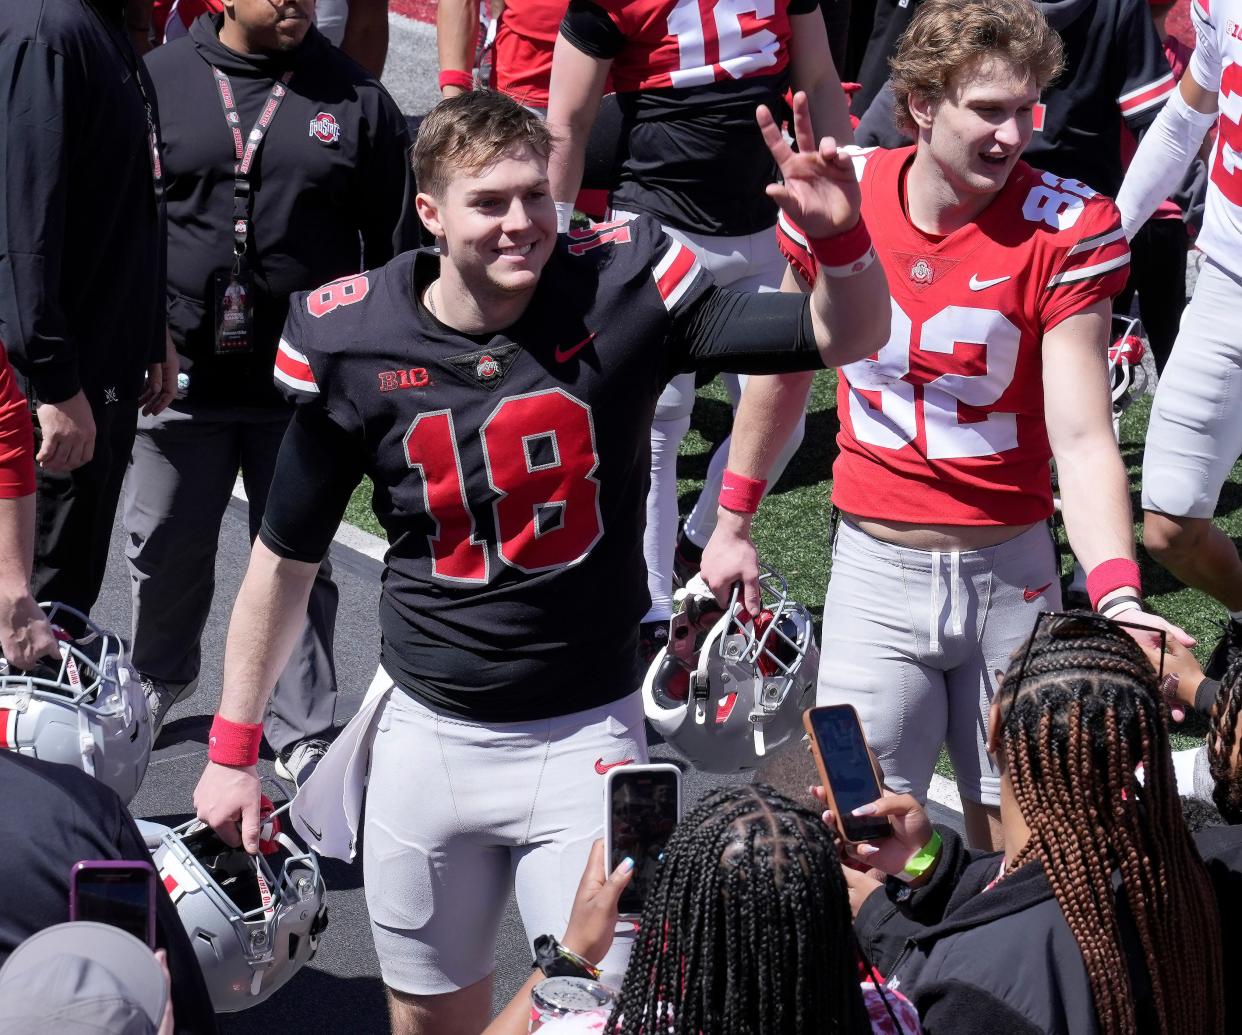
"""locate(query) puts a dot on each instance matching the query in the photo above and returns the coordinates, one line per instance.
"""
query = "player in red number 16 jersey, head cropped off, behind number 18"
(689, 76)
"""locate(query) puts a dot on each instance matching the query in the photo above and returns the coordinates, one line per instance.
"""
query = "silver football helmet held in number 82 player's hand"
(731, 689)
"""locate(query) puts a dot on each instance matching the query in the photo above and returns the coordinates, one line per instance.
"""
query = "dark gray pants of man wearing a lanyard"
(179, 483)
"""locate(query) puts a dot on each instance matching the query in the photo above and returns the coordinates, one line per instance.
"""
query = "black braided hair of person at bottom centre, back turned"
(747, 930)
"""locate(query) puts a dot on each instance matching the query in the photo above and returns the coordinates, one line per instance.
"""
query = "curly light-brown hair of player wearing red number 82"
(947, 37)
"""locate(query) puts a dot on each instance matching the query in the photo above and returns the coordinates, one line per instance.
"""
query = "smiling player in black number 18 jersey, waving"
(499, 391)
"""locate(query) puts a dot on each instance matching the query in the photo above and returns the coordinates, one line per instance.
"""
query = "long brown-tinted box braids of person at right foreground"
(1085, 716)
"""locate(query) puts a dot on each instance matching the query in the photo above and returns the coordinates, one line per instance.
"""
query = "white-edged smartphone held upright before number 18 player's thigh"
(643, 805)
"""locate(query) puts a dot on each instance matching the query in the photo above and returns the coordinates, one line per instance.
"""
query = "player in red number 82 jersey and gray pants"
(1002, 279)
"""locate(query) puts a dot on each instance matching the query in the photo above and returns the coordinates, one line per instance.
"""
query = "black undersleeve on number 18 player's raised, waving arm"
(746, 334)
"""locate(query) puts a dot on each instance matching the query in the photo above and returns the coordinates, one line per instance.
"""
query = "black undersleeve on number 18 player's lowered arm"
(317, 472)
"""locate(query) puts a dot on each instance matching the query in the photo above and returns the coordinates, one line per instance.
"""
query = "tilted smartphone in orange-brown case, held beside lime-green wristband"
(848, 770)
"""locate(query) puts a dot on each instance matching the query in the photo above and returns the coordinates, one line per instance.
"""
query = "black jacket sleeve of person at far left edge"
(34, 150)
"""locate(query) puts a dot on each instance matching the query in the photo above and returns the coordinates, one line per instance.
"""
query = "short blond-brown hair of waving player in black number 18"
(470, 132)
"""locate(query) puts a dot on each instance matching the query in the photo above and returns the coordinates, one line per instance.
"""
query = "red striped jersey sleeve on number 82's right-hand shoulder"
(1092, 267)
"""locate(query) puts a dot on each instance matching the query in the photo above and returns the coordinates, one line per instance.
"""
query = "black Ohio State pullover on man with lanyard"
(332, 192)
